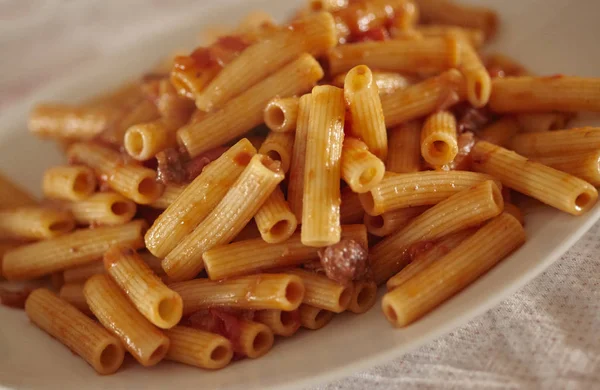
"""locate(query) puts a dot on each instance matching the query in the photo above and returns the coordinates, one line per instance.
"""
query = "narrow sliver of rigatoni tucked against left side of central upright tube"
(297, 165)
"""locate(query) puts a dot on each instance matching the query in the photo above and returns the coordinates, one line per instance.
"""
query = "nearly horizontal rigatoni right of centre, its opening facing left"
(401, 190)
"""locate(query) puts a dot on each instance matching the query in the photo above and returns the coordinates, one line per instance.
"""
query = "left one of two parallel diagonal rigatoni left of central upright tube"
(198, 199)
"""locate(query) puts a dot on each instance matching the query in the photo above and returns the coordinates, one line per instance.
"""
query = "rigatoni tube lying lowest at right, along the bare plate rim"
(453, 272)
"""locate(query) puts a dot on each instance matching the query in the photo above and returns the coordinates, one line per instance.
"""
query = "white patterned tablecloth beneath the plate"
(544, 336)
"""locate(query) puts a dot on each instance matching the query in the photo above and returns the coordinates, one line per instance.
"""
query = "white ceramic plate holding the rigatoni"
(550, 36)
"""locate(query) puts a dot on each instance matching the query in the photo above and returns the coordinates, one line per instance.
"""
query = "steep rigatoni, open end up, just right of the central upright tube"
(362, 98)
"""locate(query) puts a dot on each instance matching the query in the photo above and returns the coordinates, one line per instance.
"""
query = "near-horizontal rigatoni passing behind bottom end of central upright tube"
(256, 255)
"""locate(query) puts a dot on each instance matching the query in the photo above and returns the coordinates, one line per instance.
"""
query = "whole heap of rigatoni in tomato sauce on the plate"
(227, 197)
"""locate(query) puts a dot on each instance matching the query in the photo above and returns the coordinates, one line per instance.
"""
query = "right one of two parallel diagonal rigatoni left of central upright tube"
(252, 188)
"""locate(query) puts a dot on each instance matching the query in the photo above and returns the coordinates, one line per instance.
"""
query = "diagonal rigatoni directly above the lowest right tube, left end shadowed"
(465, 209)
